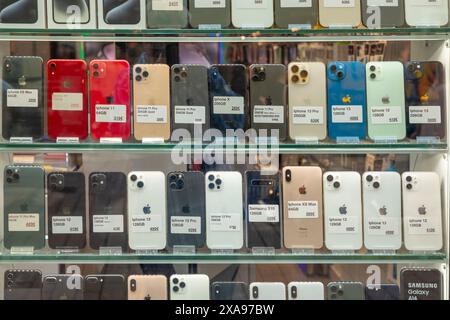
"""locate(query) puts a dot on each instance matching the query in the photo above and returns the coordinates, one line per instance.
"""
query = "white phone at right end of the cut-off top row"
(426, 13)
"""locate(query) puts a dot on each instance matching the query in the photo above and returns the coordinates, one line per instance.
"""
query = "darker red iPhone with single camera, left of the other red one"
(67, 99)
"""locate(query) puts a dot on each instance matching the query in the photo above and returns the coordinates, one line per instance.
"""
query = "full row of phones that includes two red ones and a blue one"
(381, 100)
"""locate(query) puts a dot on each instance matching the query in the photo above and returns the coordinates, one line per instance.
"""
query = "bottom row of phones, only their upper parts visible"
(30, 285)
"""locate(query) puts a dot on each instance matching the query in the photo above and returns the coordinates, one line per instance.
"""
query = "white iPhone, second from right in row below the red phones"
(382, 203)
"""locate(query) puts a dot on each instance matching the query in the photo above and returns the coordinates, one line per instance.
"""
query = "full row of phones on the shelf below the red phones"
(303, 209)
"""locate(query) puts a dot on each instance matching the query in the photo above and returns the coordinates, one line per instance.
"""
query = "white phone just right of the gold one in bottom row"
(189, 287)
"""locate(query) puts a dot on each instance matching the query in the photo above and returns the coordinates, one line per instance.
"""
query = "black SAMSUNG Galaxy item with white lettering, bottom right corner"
(421, 284)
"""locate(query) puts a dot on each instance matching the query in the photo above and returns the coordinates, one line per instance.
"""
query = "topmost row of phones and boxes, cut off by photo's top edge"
(238, 13)
